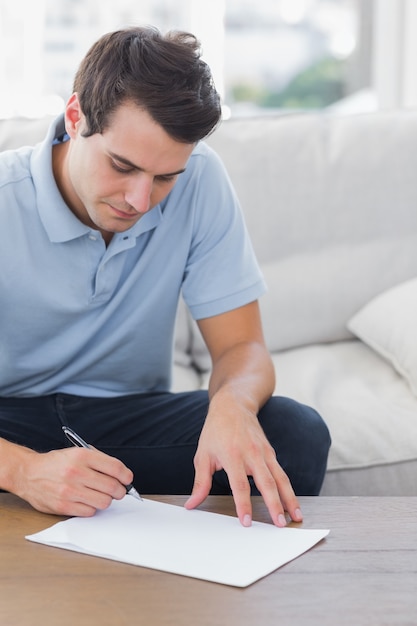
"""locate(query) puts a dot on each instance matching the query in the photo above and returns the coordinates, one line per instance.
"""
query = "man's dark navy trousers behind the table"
(156, 435)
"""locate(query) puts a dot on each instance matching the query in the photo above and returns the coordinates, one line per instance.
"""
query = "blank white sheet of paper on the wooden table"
(193, 543)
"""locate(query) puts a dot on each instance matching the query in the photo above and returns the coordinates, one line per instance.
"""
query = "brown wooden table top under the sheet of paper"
(363, 573)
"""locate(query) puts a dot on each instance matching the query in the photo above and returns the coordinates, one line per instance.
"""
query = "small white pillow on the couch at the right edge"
(388, 325)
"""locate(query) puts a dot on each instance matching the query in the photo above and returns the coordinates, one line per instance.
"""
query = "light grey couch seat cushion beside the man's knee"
(367, 405)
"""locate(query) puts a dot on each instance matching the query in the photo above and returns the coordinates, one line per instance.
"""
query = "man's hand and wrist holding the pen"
(71, 481)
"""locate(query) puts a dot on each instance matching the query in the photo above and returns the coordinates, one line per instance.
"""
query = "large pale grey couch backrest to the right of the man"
(330, 205)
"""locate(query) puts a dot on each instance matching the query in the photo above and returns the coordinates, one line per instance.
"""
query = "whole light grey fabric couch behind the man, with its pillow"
(331, 205)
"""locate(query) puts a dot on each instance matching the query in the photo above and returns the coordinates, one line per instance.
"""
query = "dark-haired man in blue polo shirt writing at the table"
(102, 226)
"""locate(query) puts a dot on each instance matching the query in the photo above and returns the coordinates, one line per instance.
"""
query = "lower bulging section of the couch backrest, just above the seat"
(309, 294)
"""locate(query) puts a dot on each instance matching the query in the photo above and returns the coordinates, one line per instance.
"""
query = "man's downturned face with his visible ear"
(110, 180)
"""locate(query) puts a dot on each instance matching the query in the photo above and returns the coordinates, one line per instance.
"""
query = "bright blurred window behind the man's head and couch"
(265, 54)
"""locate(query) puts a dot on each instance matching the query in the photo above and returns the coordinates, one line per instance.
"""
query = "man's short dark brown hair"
(163, 74)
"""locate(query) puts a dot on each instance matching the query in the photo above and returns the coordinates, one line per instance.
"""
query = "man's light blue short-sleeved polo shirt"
(80, 318)
